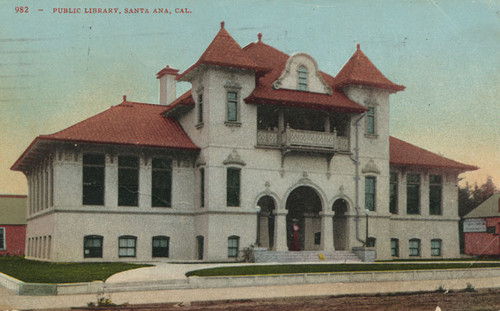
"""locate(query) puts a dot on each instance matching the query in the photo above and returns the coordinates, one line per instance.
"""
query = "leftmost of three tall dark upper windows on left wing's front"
(93, 179)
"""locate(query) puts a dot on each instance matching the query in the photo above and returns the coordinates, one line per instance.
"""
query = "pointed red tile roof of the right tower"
(360, 70)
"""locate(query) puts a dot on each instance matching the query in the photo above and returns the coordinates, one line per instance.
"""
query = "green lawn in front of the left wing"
(44, 272)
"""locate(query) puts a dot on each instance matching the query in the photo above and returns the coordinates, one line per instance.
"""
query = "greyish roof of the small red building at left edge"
(12, 209)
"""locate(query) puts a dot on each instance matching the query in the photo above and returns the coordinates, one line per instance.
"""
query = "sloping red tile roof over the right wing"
(405, 154)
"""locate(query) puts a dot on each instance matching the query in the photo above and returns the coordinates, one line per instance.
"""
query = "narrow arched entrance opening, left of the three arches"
(265, 234)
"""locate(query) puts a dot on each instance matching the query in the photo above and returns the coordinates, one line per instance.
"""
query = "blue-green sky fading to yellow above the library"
(57, 69)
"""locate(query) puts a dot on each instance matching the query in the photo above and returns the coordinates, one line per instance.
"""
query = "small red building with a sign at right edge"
(482, 228)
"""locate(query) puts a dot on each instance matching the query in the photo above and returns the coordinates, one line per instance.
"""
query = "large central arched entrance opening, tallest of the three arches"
(303, 205)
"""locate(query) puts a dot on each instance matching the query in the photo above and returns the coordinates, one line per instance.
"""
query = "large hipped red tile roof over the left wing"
(129, 123)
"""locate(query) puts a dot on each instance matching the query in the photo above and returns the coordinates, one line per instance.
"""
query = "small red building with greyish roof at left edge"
(12, 224)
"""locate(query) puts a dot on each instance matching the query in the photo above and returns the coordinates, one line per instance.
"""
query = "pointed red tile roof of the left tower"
(224, 51)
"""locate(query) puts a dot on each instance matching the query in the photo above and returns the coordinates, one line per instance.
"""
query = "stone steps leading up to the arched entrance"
(305, 256)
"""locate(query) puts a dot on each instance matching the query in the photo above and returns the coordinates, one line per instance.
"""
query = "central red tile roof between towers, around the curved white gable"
(269, 57)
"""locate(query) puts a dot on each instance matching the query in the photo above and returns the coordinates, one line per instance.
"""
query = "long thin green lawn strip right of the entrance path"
(325, 268)
